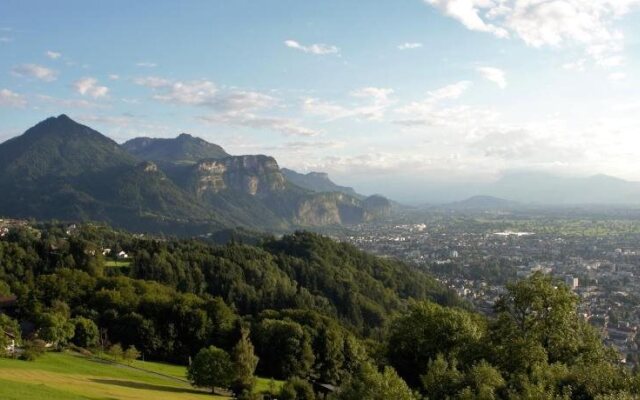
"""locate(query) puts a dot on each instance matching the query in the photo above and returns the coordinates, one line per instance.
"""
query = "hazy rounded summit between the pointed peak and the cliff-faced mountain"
(184, 148)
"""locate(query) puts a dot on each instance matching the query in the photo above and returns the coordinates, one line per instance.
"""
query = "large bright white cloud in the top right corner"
(588, 24)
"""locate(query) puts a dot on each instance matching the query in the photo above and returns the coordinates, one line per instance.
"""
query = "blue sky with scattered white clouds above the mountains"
(384, 95)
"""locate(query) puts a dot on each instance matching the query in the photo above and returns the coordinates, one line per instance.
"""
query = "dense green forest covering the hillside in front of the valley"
(301, 308)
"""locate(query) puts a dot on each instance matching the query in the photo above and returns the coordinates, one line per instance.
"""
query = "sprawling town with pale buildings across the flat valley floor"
(478, 253)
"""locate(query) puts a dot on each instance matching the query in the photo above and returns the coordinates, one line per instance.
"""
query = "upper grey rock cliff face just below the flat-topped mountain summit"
(256, 175)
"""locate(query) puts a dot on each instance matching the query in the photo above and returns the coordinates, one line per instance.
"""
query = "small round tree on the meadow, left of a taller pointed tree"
(211, 368)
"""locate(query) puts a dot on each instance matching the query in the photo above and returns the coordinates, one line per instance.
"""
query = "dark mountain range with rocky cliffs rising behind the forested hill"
(60, 169)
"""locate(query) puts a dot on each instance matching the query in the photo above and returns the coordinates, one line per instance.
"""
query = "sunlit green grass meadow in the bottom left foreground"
(73, 376)
